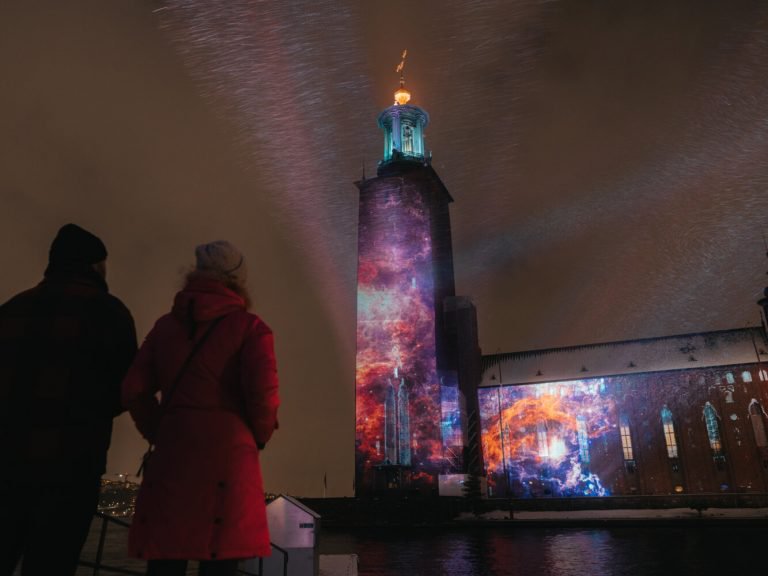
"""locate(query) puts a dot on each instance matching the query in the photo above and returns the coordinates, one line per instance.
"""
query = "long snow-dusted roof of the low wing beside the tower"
(681, 352)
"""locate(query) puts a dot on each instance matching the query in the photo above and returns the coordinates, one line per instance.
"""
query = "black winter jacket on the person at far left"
(65, 346)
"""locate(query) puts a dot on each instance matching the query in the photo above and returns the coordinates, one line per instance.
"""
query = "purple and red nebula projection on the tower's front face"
(398, 404)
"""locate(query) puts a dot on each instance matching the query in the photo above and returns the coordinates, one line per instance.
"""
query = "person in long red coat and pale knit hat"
(202, 496)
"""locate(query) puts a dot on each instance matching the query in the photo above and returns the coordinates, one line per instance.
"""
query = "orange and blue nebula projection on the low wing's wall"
(537, 439)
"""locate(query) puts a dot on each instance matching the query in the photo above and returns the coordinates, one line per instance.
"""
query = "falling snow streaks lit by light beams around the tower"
(598, 162)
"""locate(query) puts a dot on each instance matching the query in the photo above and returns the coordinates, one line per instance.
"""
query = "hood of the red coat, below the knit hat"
(204, 299)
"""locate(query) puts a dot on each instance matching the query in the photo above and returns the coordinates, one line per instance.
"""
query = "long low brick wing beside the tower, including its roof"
(680, 414)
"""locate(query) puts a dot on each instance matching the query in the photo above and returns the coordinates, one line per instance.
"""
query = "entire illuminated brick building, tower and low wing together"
(669, 415)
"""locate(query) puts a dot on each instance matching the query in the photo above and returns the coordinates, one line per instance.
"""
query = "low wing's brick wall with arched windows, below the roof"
(689, 431)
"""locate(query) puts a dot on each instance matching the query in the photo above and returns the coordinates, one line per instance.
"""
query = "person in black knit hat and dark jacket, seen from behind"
(65, 346)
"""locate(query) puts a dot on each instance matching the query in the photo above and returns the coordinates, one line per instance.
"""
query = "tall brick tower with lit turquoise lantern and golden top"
(410, 410)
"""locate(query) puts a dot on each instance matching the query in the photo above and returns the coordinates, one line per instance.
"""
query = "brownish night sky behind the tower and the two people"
(609, 162)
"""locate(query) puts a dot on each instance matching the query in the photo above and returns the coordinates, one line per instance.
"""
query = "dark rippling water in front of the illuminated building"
(721, 550)
